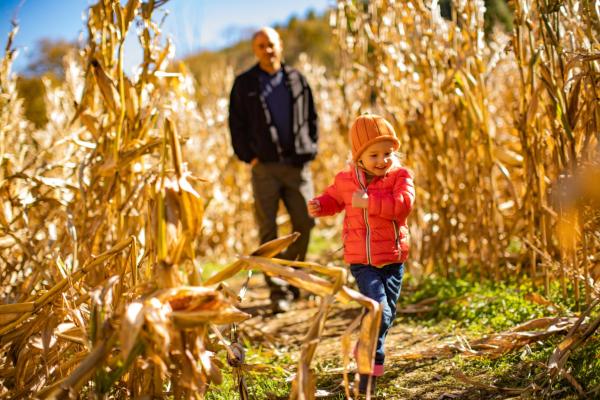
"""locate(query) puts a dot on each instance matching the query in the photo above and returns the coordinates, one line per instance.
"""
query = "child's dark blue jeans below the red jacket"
(382, 285)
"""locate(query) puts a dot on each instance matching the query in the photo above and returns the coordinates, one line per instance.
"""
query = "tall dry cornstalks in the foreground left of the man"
(99, 225)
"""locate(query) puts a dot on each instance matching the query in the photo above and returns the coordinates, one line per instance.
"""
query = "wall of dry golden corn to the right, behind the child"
(494, 128)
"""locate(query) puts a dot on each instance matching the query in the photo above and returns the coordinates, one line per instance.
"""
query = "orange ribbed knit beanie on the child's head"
(368, 129)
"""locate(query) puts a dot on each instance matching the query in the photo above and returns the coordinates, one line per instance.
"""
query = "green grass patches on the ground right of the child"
(476, 309)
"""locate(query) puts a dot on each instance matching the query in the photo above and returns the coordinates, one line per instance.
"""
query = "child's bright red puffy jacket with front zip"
(377, 235)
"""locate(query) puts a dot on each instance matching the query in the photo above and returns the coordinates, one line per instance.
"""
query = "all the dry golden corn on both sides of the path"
(109, 210)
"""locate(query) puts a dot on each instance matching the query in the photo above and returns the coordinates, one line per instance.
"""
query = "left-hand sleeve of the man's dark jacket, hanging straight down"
(238, 123)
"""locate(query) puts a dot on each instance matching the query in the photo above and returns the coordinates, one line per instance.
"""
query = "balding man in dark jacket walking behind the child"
(273, 127)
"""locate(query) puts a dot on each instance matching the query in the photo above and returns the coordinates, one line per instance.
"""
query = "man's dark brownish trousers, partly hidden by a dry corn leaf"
(270, 183)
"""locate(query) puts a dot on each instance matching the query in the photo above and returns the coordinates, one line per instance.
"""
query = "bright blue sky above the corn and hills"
(193, 24)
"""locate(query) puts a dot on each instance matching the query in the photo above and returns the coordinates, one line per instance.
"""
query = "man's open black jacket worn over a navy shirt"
(251, 133)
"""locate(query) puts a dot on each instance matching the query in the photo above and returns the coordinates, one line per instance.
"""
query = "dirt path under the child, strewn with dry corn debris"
(406, 377)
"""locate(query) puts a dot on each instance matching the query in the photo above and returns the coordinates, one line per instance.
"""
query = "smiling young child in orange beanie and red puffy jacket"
(377, 195)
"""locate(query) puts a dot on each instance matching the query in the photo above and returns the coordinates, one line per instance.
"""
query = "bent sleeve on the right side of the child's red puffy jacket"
(398, 204)
